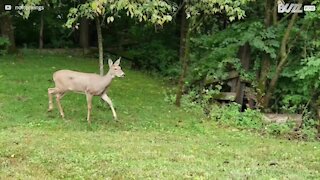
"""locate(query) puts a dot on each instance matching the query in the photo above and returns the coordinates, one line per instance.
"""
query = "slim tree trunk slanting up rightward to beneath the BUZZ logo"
(283, 60)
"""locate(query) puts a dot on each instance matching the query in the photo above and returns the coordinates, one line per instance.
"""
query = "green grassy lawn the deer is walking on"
(153, 140)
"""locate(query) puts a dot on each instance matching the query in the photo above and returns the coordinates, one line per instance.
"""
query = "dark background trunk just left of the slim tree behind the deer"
(84, 35)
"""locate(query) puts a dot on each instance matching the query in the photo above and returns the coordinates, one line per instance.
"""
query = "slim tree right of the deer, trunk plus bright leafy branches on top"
(194, 13)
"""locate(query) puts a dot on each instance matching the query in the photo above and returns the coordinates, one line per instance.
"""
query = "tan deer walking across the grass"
(90, 84)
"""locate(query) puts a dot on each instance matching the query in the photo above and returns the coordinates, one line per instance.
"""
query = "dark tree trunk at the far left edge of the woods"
(7, 30)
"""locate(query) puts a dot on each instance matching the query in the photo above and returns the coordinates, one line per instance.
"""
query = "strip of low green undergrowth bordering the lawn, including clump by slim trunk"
(230, 115)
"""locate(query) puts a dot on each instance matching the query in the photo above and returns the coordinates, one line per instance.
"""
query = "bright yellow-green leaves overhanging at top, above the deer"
(156, 12)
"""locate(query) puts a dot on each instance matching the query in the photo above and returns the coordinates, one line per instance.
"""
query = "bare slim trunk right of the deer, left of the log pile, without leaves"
(183, 55)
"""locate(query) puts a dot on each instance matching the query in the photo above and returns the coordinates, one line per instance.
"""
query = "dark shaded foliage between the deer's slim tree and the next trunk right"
(149, 49)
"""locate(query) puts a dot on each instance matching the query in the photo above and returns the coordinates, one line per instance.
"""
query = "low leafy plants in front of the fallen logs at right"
(230, 115)
